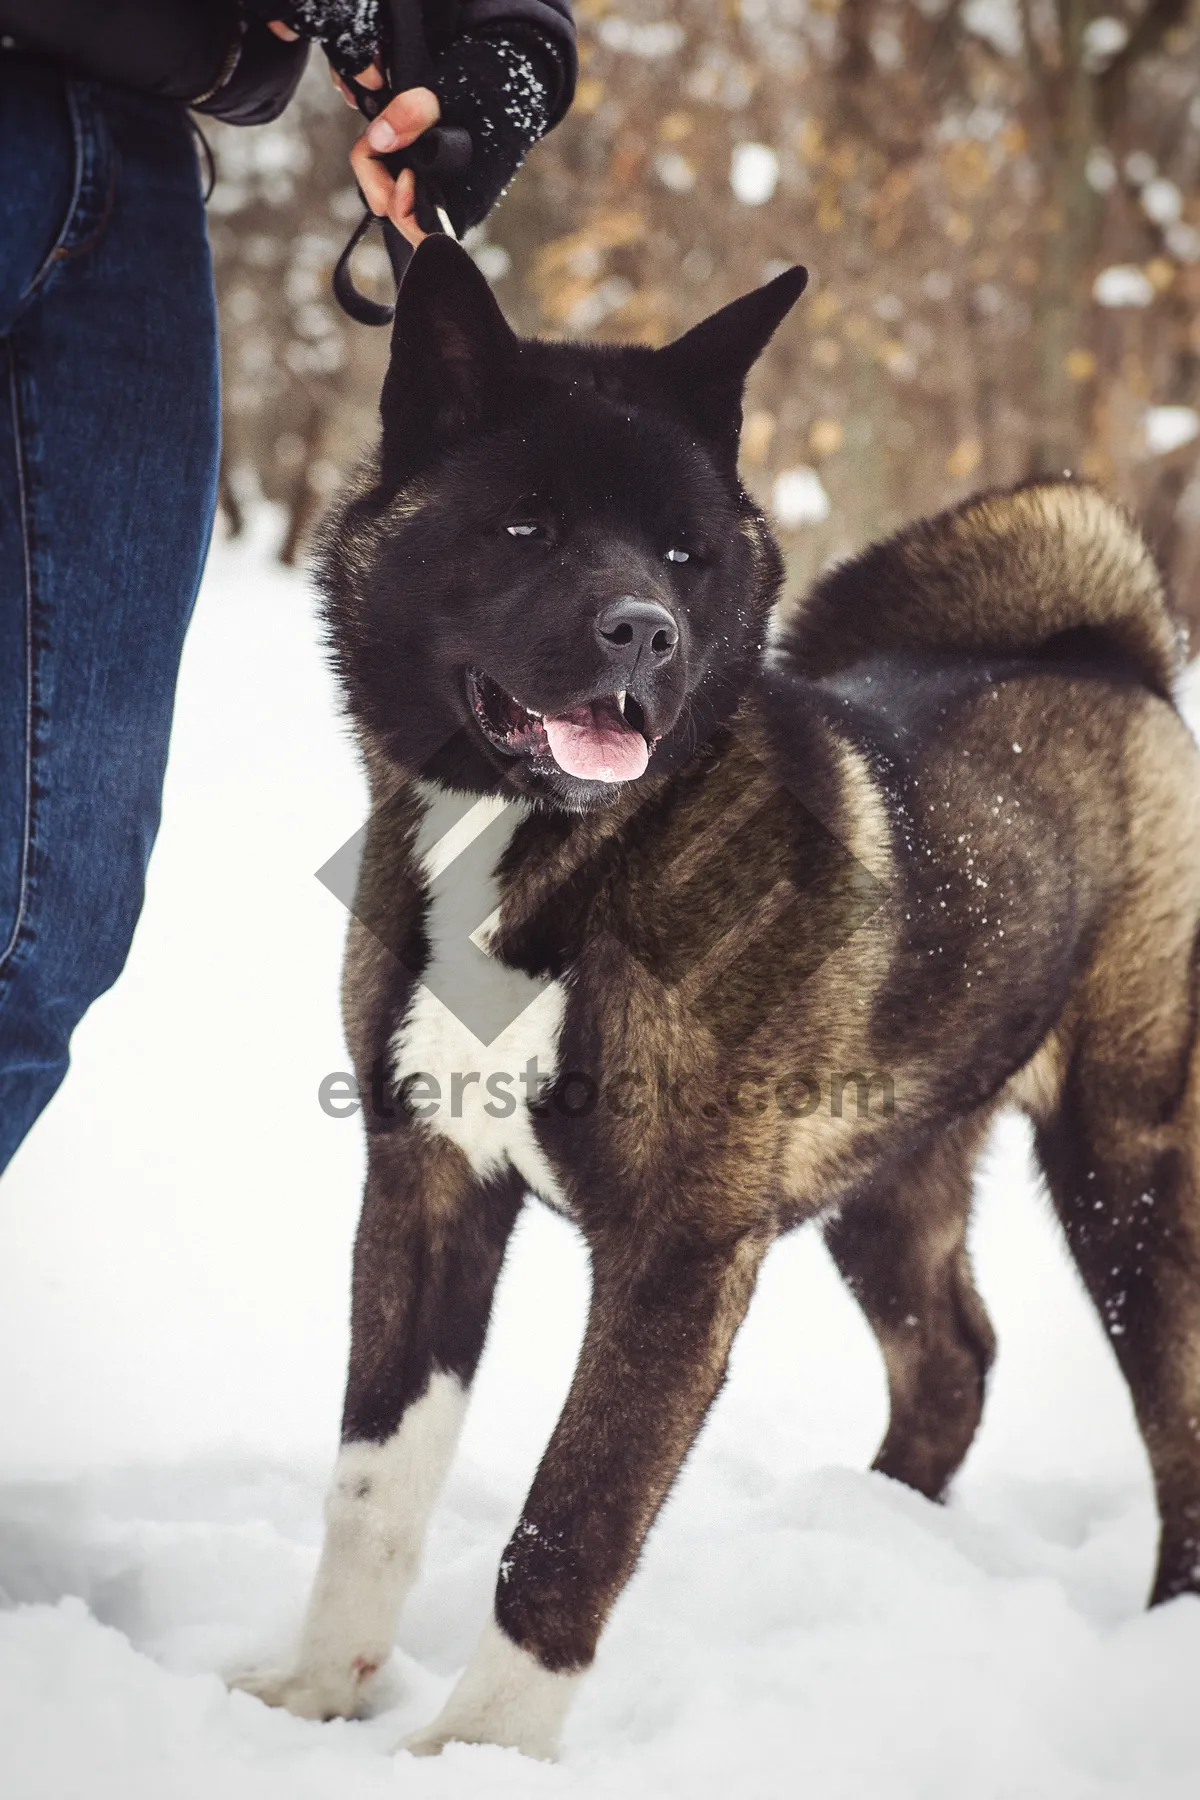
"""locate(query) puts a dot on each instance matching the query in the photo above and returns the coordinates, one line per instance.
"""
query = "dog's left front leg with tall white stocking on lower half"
(431, 1245)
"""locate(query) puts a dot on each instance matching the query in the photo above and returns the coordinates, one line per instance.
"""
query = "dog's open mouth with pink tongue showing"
(604, 741)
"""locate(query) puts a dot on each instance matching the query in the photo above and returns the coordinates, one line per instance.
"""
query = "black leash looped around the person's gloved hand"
(438, 156)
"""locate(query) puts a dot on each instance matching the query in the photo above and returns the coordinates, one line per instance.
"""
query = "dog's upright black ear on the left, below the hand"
(452, 348)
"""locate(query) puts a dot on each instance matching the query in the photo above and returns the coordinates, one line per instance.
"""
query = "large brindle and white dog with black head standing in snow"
(703, 926)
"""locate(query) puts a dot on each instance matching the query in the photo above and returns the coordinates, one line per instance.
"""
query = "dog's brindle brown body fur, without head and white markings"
(945, 858)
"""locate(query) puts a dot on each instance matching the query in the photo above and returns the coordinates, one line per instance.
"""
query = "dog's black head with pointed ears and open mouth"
(557, 580)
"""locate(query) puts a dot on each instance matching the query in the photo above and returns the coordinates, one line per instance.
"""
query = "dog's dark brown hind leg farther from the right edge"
(904, 1254)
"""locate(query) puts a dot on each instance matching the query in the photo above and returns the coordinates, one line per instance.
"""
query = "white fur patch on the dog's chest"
(479, 1039)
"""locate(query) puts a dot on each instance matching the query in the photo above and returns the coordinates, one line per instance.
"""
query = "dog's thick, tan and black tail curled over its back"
(1046, 568)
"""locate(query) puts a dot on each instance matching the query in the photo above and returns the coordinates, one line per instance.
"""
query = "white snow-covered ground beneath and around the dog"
(174, 1284)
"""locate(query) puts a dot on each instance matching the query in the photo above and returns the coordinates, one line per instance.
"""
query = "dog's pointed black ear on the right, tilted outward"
(708, 368)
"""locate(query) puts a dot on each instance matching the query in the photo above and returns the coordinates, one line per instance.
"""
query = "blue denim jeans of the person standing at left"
(109, 447)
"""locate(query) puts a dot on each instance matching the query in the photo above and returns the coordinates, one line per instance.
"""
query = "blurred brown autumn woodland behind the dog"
(998, 201)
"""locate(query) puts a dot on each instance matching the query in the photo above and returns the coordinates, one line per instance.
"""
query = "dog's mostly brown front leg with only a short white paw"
(652, 1362)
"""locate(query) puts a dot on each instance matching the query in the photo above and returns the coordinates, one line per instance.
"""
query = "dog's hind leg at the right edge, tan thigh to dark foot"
(1120, 1131)
